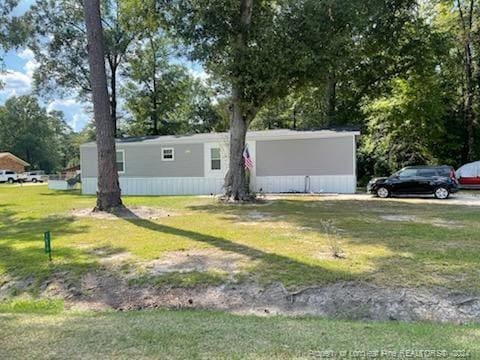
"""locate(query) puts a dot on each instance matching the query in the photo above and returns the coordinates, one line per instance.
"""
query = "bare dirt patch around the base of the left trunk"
(141, 212)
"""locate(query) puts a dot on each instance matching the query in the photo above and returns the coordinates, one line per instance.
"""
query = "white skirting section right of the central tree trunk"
(342, 184)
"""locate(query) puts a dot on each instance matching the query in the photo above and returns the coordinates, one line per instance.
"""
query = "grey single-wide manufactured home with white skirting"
(284, 161)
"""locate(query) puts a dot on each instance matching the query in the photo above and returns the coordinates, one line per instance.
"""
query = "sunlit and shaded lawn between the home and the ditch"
(283, 240)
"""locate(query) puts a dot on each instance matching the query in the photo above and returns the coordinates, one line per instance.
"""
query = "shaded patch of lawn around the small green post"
(24, 265)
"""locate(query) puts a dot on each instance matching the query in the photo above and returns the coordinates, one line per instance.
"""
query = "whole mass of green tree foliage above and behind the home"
(393, 68)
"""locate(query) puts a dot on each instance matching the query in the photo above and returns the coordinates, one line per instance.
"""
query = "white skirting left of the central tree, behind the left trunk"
(161, 186)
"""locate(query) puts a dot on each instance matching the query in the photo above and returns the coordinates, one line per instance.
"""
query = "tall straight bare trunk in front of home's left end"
(108, 195)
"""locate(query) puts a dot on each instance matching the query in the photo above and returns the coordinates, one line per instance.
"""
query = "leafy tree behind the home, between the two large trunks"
(164, 98)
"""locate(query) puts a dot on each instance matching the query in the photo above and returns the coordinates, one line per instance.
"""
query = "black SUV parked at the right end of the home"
(437, 180)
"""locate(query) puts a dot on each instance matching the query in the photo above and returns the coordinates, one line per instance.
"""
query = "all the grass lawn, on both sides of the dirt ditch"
(282, 240)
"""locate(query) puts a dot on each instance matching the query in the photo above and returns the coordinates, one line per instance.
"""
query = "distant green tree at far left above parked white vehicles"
(39, 137)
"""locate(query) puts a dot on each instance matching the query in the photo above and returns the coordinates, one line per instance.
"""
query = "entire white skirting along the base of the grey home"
(343, 184)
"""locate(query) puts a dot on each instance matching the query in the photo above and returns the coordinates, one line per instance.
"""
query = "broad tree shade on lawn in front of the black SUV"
(441, 248)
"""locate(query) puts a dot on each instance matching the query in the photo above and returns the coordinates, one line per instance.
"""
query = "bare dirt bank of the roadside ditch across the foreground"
(352, 300)
